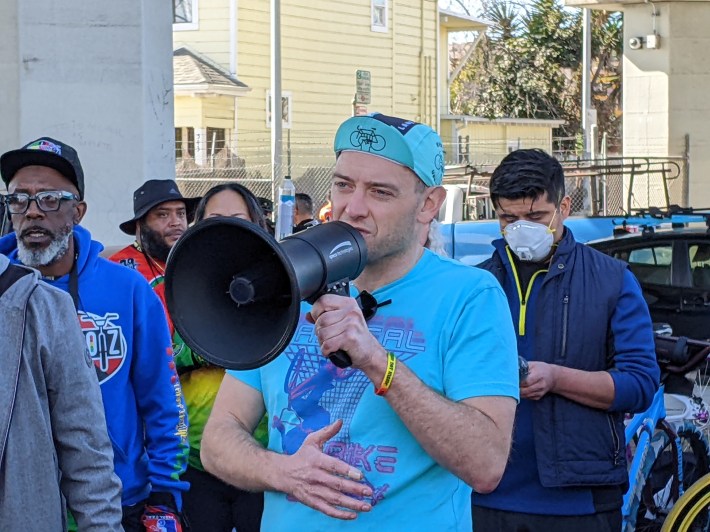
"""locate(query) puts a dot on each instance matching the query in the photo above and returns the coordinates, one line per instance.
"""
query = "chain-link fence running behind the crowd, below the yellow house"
(611, 186)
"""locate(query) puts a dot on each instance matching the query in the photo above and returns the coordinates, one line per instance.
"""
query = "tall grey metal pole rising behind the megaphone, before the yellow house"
(276, 123)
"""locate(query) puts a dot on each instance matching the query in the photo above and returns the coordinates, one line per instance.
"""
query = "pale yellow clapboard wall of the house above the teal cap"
(323, 44)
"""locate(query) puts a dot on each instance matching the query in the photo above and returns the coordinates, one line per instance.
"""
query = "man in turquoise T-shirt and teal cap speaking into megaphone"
(426, 409)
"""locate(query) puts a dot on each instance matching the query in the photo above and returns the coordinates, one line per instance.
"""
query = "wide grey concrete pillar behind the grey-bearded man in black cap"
(97, 75)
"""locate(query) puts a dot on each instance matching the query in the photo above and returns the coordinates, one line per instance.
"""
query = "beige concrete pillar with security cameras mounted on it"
(665, 89)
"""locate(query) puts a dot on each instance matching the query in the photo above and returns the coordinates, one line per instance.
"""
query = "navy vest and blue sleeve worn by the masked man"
(577, 445)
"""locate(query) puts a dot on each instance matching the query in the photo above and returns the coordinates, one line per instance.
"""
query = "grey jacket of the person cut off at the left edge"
(54, 448)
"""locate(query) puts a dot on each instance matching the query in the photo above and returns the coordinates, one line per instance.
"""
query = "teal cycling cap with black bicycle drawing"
(414, 145)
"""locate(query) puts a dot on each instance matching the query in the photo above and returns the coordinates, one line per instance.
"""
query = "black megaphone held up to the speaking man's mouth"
(234, 292)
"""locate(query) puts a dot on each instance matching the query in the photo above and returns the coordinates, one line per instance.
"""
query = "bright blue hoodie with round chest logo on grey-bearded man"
(127, 337)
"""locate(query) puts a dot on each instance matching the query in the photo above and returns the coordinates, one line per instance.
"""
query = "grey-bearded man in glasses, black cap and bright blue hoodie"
(123, 322)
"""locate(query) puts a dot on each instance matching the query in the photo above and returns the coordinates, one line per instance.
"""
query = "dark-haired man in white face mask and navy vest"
(584, 327)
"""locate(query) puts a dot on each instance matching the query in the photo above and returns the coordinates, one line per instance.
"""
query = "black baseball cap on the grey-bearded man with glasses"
(47, 152)
